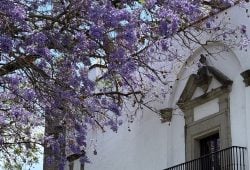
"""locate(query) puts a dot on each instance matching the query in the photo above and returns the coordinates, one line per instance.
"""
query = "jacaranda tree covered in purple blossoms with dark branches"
(69, 65)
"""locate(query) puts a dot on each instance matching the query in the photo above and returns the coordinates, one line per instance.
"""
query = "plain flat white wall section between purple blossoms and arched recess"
(144, 147)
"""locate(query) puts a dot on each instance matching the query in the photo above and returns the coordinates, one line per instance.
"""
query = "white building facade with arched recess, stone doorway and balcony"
(208, 118)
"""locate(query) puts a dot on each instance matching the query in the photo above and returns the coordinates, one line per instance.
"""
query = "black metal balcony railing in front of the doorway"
(233, 158)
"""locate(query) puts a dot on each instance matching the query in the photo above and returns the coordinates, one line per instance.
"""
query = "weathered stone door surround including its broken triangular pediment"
(218, 122)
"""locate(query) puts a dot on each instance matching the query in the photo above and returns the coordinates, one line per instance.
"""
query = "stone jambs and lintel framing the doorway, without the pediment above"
(215, 123)
